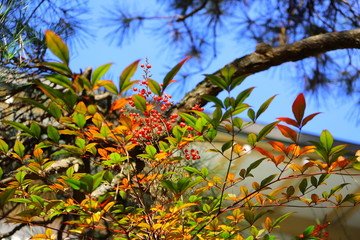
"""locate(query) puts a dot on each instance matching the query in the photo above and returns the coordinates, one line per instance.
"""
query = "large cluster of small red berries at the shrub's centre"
(151, 125)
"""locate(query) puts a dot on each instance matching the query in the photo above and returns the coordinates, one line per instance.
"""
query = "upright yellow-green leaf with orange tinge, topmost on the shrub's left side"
(57, 46)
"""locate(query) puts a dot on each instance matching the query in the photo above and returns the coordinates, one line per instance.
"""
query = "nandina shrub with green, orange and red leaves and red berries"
(122, 164)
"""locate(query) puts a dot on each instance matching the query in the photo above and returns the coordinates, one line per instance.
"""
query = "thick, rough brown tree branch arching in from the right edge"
(265, 58)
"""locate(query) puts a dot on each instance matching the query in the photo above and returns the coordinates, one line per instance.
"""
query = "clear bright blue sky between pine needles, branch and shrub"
(281, 80)
